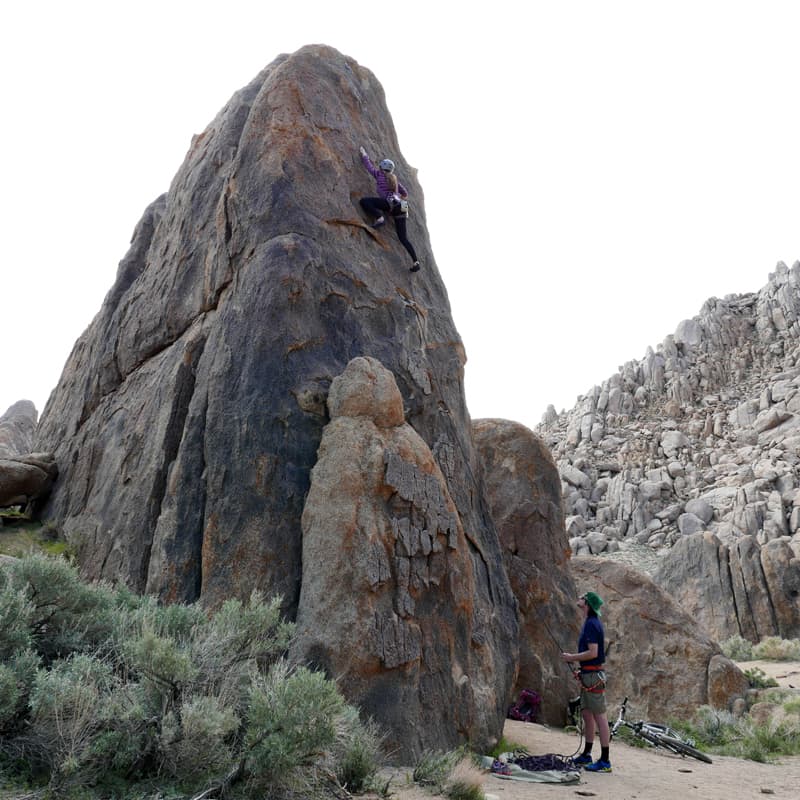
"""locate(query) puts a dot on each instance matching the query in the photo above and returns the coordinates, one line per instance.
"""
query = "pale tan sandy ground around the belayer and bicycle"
(646, 774)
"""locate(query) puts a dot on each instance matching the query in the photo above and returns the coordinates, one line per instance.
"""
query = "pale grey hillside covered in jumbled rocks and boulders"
(699, 436)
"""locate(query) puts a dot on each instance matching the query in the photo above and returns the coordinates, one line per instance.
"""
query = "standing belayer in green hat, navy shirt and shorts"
(591, 656)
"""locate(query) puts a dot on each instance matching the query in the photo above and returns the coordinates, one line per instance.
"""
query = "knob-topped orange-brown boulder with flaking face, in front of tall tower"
(391, 602)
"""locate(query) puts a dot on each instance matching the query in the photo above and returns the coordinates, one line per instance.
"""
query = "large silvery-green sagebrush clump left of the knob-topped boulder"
(100, 688)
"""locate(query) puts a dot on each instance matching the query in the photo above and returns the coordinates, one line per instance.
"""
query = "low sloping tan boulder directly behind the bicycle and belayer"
(659, 655)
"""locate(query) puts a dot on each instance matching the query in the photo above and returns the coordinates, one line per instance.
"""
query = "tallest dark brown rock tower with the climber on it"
(188, 417)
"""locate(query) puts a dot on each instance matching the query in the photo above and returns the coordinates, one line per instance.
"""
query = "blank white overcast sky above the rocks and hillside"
(624, 162)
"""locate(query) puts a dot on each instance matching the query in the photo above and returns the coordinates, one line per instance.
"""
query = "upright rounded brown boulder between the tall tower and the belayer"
(525, 498)
